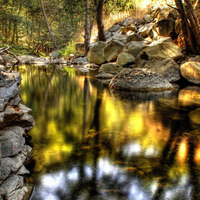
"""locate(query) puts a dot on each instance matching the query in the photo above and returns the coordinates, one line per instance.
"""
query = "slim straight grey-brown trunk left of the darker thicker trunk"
(87, 26)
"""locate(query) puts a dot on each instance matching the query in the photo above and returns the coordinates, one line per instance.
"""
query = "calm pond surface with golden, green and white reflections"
(94, 144)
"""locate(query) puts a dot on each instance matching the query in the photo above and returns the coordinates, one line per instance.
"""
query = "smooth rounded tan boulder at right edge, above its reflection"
(191, 72)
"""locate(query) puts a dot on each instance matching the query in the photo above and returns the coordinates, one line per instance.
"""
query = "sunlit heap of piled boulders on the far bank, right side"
(149, 43)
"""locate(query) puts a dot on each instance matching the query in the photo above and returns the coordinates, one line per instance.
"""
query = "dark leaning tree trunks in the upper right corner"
(189, 26)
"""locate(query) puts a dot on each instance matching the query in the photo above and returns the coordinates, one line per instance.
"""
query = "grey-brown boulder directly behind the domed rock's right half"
(167, 67)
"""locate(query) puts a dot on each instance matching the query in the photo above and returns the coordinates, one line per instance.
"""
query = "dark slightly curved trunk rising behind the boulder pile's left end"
(100, 24)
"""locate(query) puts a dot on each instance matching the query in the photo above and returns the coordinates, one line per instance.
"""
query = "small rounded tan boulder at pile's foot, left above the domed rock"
(125, 59)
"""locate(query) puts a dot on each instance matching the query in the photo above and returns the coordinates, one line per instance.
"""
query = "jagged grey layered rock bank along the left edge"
(15, 123)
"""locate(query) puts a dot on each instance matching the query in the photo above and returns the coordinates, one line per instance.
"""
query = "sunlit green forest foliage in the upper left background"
(22, 22)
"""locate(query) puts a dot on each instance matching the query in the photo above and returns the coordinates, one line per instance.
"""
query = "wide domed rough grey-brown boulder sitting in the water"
(140, 80)
